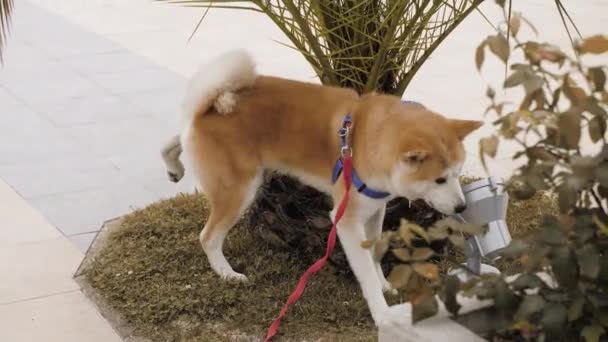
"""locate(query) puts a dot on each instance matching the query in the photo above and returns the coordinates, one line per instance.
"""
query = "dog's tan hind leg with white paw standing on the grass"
(228, 199)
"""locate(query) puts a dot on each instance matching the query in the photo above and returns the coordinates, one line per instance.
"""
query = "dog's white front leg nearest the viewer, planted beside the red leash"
(351, 232)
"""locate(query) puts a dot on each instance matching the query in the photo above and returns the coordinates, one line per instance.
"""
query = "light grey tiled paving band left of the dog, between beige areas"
(82, 123)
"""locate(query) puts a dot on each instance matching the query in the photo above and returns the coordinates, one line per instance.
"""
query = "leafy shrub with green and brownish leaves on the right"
(559, 128)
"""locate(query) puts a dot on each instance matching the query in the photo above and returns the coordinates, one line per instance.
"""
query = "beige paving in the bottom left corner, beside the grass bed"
(39, 300)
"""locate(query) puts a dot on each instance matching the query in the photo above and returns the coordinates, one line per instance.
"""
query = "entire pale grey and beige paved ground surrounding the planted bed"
(90, 90)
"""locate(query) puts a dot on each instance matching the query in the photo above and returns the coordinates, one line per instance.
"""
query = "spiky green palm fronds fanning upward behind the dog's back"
(367, 45)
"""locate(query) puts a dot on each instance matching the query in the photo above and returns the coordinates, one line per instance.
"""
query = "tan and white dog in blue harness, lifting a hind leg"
(237, 124)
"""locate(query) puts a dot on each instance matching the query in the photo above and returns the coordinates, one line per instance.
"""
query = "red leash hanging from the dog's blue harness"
(331, 242)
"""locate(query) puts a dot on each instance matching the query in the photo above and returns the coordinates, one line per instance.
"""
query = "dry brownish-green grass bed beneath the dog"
(149, 275)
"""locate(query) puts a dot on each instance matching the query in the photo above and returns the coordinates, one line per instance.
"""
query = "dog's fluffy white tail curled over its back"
(214, 84)
